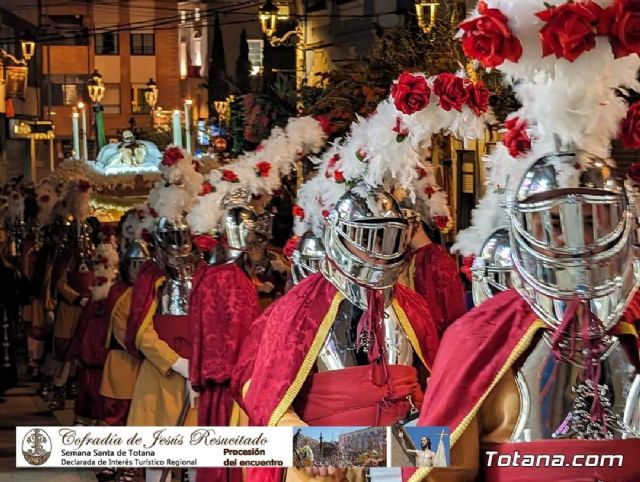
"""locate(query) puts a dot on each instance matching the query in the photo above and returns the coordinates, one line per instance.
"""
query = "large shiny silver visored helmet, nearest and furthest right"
(572, 234)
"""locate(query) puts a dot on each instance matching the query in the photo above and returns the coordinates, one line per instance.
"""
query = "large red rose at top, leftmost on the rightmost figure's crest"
(489, 39)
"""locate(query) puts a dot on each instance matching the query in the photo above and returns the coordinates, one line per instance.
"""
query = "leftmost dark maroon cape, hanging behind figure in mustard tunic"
(88, 343)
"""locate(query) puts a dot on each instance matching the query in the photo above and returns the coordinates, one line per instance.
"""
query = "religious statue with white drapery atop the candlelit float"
(129, 155)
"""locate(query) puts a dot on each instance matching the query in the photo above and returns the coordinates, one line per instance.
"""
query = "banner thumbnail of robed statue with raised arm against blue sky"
(420, 447)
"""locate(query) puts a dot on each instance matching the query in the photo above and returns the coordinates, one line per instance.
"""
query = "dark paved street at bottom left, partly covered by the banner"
(24, 407)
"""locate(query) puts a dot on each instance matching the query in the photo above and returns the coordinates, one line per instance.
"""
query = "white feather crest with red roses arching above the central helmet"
(390, 147)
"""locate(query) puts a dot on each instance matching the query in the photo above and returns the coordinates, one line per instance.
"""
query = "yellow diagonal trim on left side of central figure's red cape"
(308, 362)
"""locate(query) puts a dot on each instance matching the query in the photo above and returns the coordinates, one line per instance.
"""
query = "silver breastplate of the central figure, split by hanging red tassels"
(339, 349)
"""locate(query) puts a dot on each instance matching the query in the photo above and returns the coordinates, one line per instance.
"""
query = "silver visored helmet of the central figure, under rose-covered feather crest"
(365, 239)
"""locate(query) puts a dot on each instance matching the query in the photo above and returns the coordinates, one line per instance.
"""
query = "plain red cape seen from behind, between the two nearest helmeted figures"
(433, 273)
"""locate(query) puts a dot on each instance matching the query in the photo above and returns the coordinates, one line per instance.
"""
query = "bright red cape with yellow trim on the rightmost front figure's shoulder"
(475, 353)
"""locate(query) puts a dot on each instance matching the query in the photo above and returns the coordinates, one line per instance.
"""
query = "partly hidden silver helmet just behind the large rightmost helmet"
(491, 270)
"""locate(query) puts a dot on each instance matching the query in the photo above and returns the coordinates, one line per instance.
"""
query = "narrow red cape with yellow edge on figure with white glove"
(143, 302)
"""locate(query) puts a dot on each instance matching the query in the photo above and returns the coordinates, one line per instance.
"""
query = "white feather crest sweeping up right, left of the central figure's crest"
(258, 172)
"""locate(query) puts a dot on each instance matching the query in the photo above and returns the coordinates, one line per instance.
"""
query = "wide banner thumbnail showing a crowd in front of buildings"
(340, 447)
